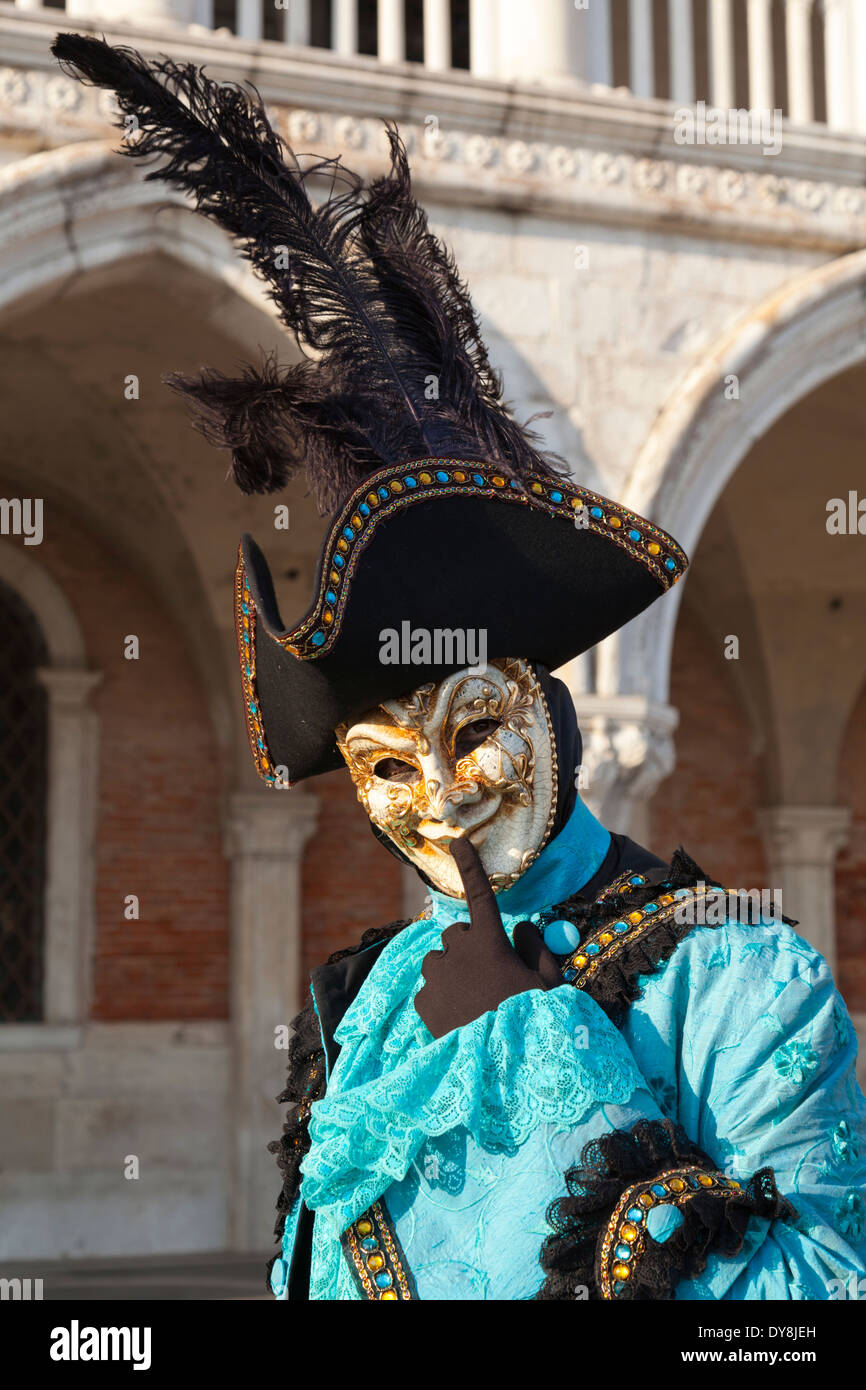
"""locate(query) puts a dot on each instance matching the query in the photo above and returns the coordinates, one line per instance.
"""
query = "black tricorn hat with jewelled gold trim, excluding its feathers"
(434, 564)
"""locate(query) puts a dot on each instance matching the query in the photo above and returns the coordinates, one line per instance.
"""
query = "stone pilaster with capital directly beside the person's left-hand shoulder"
(265, 837)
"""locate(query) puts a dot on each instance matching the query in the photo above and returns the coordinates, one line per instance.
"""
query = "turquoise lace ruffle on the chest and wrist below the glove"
(539, 1058)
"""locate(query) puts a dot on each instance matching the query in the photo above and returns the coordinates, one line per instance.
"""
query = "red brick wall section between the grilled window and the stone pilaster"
(159, 831)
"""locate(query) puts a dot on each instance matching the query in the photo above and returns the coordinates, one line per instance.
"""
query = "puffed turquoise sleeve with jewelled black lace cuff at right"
(749, 1046)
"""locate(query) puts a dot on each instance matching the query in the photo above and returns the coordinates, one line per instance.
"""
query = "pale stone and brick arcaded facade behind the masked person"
(694, 319)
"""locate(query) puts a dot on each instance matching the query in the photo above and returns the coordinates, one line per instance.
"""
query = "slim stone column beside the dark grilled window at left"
(72, 822)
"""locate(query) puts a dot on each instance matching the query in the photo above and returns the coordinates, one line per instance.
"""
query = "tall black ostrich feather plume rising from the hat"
(395, 368)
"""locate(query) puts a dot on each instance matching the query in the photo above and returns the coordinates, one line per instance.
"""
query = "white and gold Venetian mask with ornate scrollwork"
(471, 755)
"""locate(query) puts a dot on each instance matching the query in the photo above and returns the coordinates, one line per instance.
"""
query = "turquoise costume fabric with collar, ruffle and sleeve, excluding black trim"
(740, 1038)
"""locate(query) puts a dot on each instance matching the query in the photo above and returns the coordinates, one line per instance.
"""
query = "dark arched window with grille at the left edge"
(23, 811)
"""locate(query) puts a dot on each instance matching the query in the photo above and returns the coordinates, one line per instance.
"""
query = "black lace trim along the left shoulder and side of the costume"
(305, 1085)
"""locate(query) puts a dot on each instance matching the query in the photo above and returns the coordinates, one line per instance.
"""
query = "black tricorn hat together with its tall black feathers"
(479, 534)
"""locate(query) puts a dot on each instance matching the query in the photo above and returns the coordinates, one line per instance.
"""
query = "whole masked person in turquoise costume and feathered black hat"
(558, 1082)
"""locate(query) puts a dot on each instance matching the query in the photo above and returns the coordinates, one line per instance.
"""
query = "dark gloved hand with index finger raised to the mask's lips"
(477, 967)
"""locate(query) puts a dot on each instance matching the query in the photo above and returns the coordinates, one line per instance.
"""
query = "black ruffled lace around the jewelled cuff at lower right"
(714, 1221)
